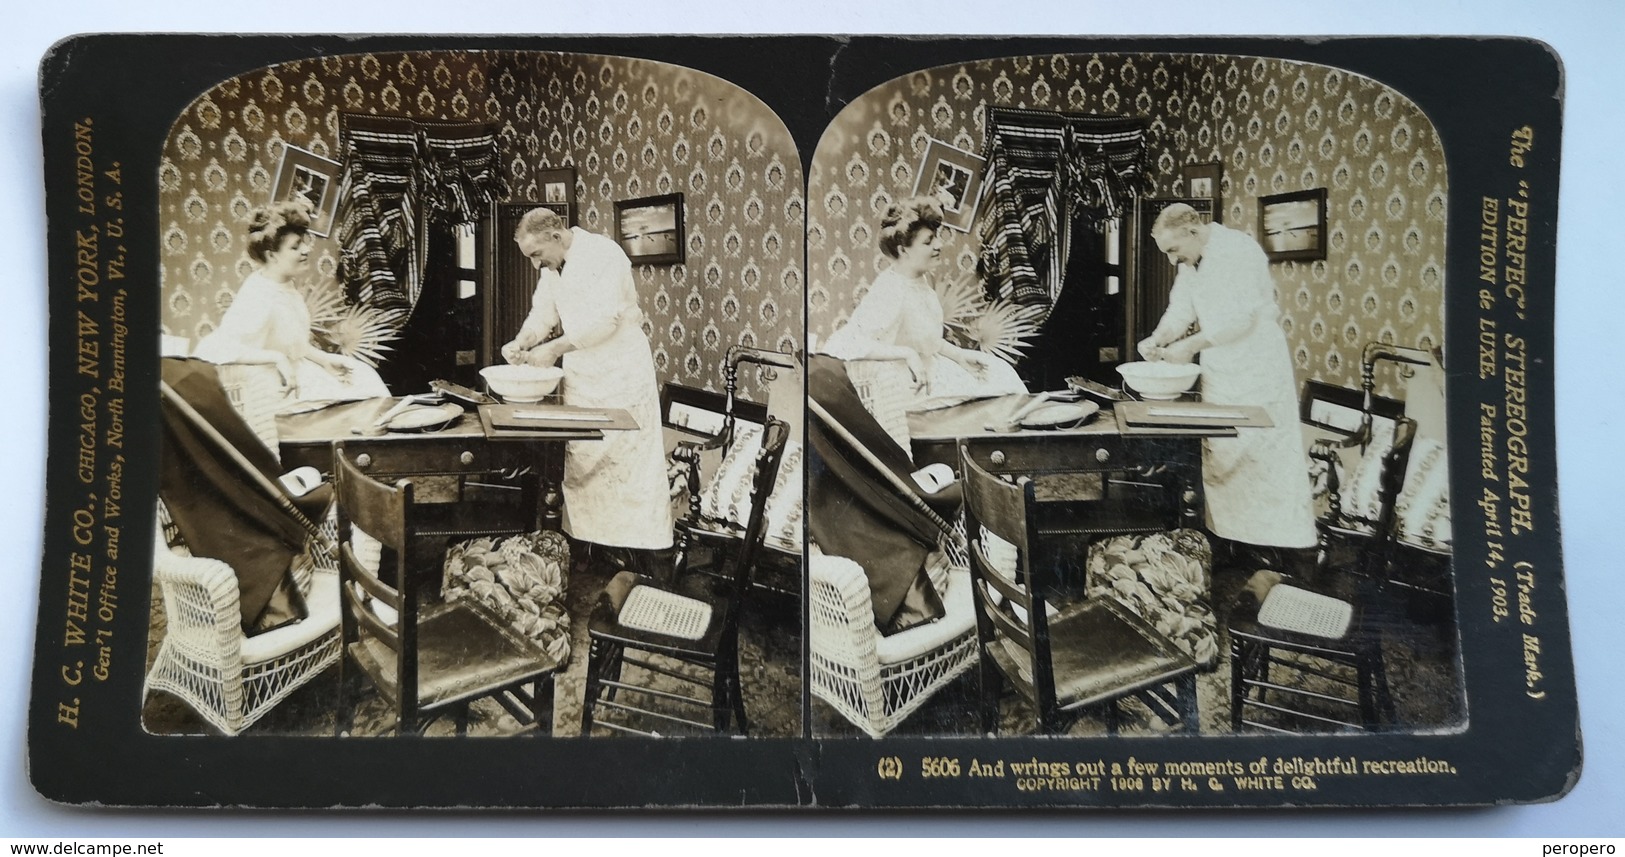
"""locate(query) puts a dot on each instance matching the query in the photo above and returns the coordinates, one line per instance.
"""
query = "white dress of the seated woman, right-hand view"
(908, 313)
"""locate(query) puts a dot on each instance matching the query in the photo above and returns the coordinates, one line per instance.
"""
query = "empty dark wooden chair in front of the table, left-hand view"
(425, 659)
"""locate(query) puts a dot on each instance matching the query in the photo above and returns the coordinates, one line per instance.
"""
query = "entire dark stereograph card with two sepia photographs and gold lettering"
(1021, 424)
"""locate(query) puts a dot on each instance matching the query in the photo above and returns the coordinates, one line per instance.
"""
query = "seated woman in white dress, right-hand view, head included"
(901, 320)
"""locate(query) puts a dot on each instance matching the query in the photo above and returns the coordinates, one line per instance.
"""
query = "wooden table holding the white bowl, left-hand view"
(449, 466)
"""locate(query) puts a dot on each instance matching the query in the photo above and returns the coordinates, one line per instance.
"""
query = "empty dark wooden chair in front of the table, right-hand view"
(1088, 658)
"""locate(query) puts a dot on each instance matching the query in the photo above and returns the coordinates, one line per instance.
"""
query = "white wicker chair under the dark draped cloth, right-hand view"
(878, 682)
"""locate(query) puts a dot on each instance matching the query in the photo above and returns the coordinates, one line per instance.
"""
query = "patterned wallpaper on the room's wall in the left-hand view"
(631, 129)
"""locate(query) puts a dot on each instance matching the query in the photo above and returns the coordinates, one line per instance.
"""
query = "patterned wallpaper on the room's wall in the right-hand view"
(1276, 126)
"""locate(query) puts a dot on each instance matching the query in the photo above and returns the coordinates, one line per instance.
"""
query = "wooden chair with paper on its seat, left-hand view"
(651, 645)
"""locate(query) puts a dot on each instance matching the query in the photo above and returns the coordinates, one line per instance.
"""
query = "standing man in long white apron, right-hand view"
(1257, 484)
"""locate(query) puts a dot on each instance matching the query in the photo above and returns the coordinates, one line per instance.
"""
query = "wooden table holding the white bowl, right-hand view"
(1096, 479)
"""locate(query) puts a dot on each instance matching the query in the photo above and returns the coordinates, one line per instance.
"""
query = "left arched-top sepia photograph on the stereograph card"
(417, 474)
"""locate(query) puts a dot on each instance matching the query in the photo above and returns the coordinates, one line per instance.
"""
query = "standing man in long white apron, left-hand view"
(615, 490)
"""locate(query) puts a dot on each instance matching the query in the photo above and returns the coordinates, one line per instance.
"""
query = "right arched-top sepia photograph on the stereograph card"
(1099, 464)
